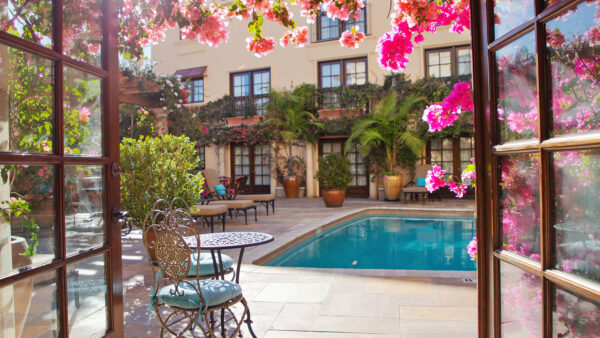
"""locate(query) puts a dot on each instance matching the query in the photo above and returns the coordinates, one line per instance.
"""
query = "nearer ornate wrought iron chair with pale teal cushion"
(191, 301)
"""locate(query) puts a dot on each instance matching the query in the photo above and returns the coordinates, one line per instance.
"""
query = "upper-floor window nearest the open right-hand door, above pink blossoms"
(448, 62)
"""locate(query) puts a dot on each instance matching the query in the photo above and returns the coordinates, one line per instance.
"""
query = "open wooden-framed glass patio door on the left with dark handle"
(60, 254)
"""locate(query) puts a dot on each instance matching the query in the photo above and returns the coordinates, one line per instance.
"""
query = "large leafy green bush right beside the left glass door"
(155, 168)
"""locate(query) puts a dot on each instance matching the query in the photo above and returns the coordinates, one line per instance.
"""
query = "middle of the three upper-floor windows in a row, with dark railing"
(335, 75)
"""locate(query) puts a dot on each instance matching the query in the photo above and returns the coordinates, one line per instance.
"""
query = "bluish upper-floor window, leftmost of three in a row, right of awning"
(250, 90)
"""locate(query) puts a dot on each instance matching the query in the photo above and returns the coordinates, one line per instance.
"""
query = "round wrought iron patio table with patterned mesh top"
(215, 242)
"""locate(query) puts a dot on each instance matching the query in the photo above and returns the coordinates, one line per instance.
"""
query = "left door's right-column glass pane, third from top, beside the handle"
(84, 207)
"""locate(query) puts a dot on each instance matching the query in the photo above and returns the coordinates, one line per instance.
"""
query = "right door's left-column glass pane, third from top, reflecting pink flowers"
(520, 204)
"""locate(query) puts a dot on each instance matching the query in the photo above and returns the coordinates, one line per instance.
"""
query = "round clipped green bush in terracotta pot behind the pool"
(334, 172)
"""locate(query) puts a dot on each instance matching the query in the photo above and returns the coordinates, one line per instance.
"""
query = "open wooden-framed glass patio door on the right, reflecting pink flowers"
(538, 161)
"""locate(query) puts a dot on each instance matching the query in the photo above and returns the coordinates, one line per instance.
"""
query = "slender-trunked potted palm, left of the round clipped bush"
(286, 113)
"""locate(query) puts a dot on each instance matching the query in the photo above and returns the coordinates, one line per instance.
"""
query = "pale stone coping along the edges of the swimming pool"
(284, 242)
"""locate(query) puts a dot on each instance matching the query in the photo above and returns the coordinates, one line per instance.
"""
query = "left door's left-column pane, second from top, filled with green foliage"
(26, 102)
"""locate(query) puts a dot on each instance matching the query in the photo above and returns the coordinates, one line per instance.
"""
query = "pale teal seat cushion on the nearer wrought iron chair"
(215, 292)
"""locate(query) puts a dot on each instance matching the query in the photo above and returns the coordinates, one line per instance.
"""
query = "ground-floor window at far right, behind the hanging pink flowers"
(451, 154)
